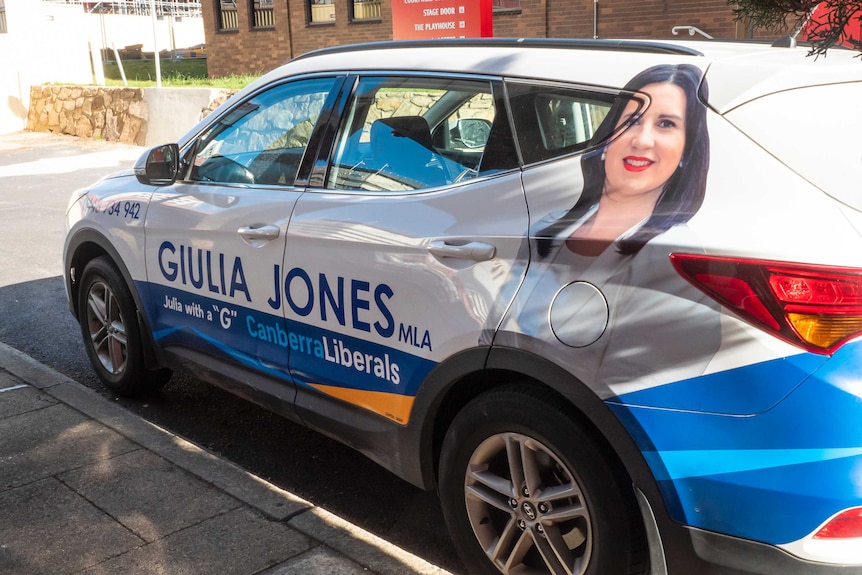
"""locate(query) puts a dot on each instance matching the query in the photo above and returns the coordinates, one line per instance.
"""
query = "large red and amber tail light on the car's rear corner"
(816, 307)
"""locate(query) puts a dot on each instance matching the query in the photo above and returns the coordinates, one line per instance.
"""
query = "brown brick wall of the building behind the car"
(250, 51)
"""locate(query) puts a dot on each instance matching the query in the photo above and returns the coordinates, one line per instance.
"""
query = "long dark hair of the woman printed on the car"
(683, 192)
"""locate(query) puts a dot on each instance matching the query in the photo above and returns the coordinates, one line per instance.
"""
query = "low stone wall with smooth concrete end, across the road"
(137, 116)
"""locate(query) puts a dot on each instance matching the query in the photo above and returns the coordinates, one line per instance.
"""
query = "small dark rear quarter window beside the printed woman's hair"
(553, 121)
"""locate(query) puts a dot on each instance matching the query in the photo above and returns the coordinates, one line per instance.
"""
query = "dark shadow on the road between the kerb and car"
(34, 319)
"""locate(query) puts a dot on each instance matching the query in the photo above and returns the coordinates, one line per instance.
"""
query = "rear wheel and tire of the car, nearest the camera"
(566, 511)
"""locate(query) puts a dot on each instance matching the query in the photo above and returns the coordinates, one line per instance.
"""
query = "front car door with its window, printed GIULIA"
(215, 238)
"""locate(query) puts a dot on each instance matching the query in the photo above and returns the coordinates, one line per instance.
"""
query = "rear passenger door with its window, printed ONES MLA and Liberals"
(399, 260)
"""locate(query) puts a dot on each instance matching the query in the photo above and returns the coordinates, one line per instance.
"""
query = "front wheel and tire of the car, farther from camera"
(111, 332)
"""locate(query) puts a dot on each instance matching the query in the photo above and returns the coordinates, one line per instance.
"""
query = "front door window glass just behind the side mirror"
(262, 140)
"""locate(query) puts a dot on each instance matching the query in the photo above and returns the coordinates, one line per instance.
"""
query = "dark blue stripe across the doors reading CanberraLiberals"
(267, 342)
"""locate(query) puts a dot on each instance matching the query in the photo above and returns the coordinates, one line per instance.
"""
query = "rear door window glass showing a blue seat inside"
(412, 133)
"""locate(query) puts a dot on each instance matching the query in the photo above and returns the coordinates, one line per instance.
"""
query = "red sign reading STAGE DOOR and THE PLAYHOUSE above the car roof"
(428, 19)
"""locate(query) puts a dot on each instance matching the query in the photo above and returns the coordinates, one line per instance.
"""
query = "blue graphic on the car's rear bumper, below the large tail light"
(774, 476)
